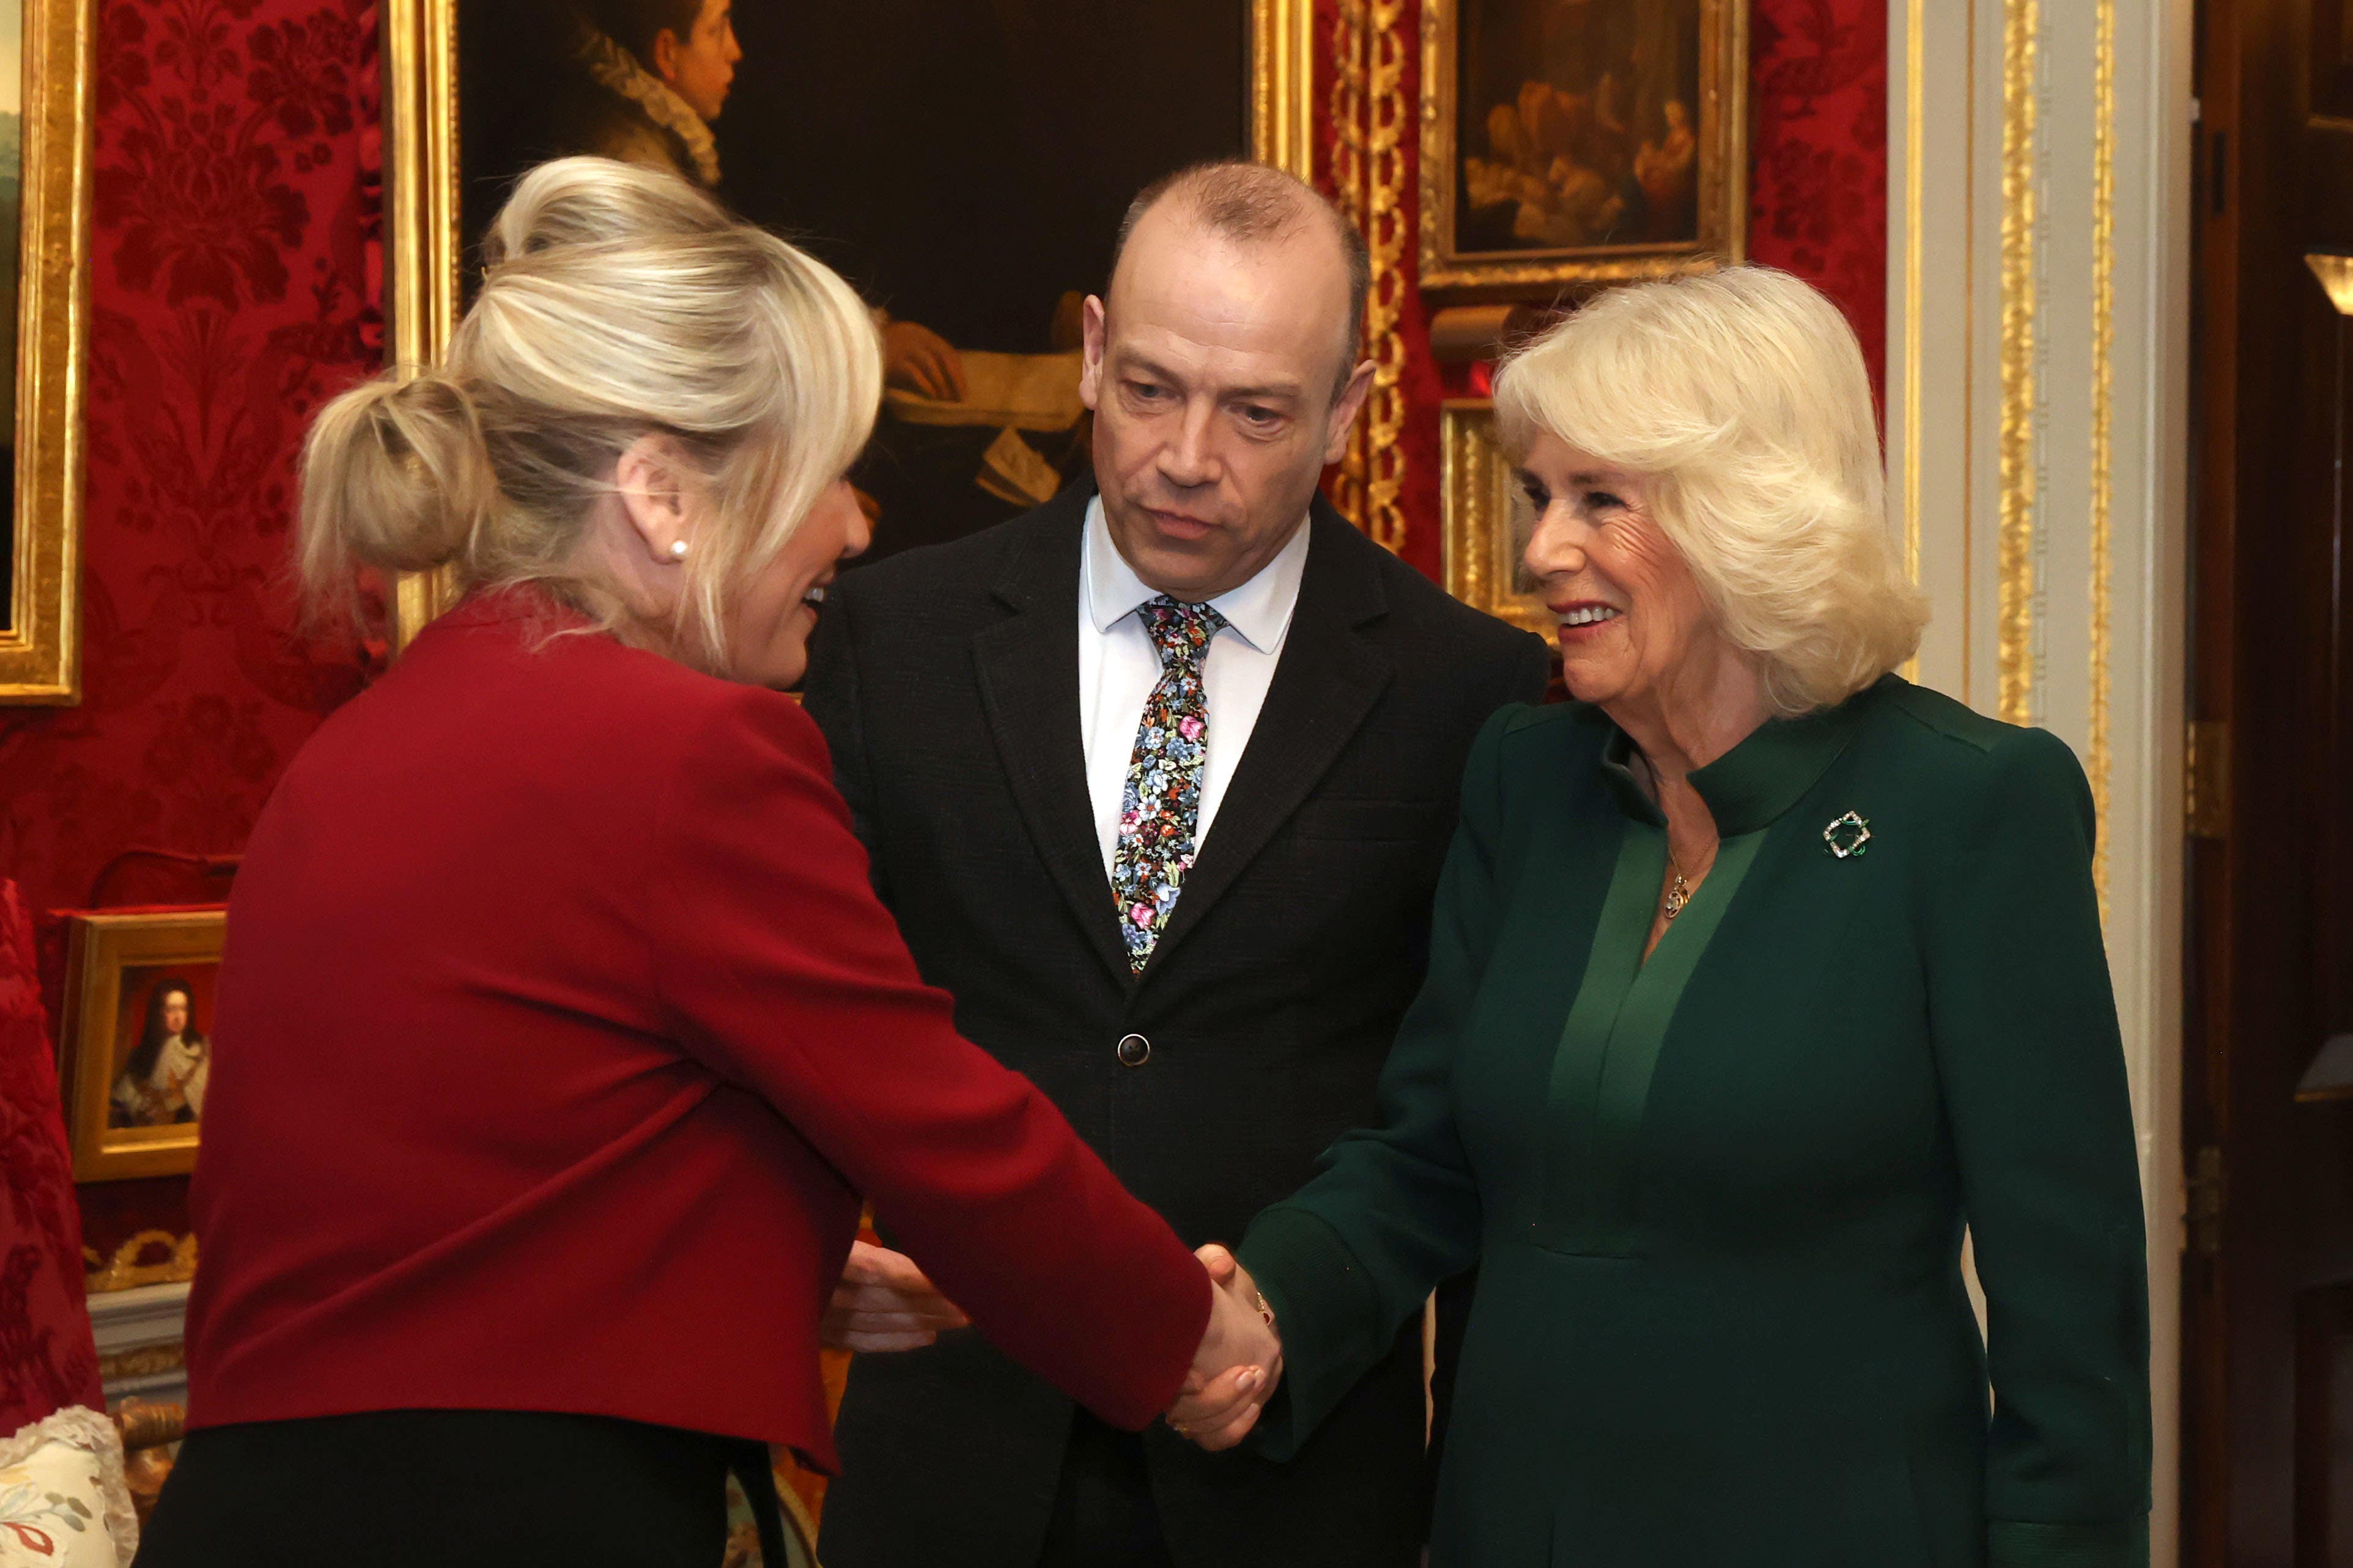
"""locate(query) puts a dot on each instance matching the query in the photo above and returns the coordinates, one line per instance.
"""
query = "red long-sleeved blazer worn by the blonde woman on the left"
(559, 1038)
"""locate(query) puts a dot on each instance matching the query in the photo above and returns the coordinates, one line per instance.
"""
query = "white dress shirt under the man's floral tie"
(1119, 669)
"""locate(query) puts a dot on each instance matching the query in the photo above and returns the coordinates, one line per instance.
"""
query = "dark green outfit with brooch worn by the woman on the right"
(1717, 1200)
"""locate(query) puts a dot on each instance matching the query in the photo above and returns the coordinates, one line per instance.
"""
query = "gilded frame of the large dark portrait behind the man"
(425, 196)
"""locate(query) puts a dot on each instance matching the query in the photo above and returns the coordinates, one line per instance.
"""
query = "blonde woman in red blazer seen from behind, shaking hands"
(561, 1031)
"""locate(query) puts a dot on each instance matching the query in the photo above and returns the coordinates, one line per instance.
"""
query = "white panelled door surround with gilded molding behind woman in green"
(2037, 434)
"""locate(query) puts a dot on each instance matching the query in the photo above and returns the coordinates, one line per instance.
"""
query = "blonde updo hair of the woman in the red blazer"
(618, 302)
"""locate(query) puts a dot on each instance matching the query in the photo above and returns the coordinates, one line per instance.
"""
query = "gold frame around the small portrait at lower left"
(102, 946)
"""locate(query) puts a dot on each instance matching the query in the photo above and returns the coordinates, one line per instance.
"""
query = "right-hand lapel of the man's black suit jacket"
(1326, 683)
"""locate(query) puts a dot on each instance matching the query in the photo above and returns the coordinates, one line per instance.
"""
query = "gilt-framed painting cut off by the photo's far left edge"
(44, 243)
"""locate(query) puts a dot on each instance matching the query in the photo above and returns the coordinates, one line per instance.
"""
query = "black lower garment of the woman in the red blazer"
(455, 1489)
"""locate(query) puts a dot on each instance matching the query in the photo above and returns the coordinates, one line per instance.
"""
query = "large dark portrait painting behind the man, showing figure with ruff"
(964, 166)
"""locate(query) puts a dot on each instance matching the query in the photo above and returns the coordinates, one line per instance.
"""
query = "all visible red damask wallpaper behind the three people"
(239, 283)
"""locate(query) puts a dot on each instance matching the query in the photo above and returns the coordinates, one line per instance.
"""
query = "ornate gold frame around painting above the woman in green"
(1724, 175)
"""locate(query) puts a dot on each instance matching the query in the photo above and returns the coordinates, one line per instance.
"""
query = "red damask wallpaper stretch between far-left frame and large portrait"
(232, 290)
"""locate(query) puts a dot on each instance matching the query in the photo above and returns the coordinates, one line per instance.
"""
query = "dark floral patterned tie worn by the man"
(1161, 803)
